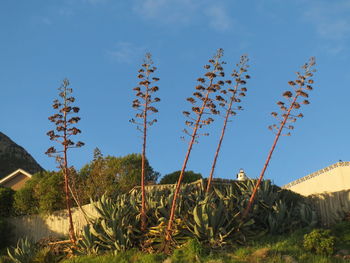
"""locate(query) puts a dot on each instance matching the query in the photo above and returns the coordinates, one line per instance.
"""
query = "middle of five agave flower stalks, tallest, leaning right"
(202, 104)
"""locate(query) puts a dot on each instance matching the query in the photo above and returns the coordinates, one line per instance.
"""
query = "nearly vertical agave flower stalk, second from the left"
(144, 105)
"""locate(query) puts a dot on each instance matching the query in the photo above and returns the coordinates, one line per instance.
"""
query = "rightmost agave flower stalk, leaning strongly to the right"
(299, 89)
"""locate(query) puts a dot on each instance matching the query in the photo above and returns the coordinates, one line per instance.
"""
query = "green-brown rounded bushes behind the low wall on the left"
(103, 175)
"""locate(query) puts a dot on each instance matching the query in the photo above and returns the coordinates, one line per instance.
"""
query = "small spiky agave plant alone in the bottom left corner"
(24, 252)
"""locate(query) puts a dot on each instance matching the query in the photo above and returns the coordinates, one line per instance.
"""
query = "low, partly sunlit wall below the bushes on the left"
(55, 225)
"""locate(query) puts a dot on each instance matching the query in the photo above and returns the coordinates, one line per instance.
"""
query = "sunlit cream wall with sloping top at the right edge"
(333, 178)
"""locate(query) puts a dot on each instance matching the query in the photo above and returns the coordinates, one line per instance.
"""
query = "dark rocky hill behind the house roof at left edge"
(13, 157)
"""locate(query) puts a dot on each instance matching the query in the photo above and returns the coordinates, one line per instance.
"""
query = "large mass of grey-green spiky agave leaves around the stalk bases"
(213, 219)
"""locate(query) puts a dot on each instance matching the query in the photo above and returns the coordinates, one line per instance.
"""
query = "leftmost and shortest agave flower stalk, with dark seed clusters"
(65, 129)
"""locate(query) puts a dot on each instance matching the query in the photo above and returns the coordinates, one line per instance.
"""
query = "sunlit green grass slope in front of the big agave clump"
(287, 248)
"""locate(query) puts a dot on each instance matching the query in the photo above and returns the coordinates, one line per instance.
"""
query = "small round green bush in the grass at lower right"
(319, 241)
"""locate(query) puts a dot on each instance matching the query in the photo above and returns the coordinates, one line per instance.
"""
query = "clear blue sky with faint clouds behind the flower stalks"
(99, 45)
